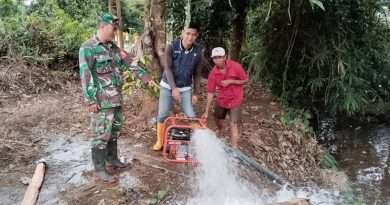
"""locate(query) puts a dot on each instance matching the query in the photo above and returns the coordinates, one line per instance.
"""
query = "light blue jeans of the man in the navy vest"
(166, 100)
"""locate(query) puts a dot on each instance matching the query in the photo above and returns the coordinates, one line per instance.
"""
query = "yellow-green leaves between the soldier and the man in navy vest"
(131, 80)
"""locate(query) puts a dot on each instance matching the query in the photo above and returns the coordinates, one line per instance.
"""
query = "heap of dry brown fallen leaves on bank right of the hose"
(285, 151)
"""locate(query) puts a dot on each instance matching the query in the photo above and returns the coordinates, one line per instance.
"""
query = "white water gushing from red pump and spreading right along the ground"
(218, 180)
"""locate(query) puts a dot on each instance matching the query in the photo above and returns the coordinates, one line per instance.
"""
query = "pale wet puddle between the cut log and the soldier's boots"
(67, 160)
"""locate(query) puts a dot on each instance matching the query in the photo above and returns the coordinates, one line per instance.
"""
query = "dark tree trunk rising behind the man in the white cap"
(238, 32)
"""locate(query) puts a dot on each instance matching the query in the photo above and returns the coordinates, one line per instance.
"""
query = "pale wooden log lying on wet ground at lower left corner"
(31, 195)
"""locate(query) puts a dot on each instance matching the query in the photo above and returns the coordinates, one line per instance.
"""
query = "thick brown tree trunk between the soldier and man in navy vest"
(152, 43)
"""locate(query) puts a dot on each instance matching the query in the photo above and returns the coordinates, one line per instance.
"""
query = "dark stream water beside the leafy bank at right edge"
(363, 152)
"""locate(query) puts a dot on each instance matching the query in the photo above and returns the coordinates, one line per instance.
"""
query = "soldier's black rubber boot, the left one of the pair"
(99, 162)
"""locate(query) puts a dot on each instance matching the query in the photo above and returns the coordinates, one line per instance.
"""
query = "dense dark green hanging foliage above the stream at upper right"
(334, 59)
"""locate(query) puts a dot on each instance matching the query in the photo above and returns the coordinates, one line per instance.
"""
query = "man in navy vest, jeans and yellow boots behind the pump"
(182, 68)
